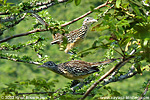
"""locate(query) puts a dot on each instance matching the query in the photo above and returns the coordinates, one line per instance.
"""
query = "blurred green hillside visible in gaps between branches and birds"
(14, 71)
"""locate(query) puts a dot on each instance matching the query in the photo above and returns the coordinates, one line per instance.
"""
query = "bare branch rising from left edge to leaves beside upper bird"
(22, 34)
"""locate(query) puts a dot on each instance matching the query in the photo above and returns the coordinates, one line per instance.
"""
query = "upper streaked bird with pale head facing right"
(74, 37)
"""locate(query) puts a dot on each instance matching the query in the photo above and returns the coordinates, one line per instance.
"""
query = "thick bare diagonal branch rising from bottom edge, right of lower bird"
(122, 63)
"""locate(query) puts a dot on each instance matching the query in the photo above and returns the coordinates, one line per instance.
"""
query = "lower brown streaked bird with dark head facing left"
(75, 69)
